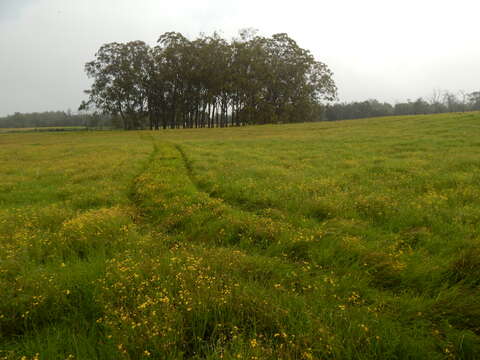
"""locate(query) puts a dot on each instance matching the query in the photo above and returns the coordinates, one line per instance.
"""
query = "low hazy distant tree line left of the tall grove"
(57, 119)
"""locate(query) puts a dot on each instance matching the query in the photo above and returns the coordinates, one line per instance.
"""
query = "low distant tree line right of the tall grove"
(439, 102)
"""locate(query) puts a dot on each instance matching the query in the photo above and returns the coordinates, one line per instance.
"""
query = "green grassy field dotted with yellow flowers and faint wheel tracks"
(347, 240)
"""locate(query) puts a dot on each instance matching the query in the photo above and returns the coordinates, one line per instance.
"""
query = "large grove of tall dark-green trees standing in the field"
(208, 82)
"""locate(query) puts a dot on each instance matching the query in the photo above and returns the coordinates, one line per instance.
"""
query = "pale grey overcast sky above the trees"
(389, 50)
